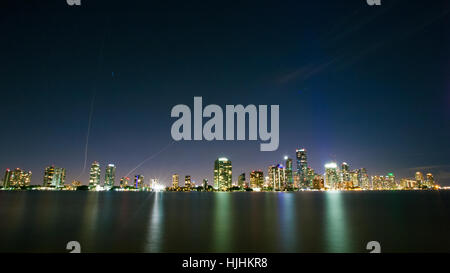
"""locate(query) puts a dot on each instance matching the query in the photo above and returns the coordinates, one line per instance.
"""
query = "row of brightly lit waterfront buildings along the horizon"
(279, 177)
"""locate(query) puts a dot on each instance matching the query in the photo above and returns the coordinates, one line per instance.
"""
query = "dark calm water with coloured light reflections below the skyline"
(225, 222)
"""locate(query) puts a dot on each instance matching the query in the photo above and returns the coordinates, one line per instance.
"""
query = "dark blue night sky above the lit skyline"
(356, 83)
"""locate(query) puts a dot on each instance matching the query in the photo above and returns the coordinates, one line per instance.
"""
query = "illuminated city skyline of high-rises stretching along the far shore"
(277, 177)
